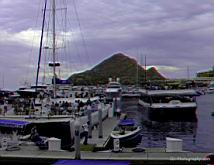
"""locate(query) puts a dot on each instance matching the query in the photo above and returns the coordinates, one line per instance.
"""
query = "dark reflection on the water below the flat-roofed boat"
(154, 134)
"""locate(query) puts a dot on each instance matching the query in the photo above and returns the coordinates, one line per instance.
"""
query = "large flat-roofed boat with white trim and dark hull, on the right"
(165, 105)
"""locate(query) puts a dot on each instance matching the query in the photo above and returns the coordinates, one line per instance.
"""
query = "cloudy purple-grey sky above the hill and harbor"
(173, 34)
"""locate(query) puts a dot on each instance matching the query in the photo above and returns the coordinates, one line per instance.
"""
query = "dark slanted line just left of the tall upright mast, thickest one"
(40, 48)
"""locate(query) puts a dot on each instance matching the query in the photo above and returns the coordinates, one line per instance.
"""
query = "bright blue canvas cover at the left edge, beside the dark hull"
(13, 123)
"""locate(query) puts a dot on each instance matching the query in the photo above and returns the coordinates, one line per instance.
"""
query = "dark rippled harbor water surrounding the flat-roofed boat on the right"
(197, 135)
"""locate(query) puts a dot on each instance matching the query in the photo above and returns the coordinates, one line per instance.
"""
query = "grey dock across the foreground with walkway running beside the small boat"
(29, 153)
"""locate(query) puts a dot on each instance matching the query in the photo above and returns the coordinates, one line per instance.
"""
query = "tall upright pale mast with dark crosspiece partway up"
(54, 47)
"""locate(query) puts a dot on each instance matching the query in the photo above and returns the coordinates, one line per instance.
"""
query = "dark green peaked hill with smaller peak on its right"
(118, 65)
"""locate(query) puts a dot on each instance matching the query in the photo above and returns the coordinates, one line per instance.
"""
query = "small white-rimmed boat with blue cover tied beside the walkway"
(128, 132)
